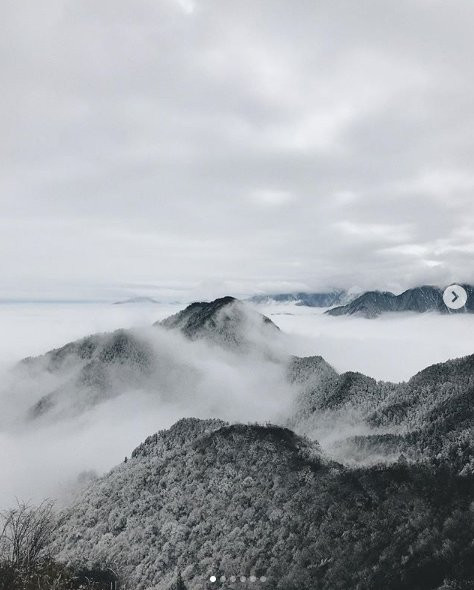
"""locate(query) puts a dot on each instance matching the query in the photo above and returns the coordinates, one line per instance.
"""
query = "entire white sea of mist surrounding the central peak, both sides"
(44, 458)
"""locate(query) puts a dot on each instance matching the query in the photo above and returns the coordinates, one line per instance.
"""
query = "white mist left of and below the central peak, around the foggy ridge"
(43, 457)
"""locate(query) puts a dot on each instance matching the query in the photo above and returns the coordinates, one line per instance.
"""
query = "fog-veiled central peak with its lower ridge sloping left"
(91, 370)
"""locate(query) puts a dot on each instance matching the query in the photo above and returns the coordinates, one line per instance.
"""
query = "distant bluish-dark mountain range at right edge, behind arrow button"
(419, 299)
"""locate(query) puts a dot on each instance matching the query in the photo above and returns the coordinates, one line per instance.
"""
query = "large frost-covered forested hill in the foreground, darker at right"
(209, 498)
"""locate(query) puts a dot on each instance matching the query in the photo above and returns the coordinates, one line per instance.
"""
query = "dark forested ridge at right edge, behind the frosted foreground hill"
(361, 420)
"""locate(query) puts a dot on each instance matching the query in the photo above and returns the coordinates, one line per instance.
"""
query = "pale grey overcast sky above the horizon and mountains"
(196, 147)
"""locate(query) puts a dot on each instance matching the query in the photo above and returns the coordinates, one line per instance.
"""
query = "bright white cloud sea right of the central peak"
(392, 347)
